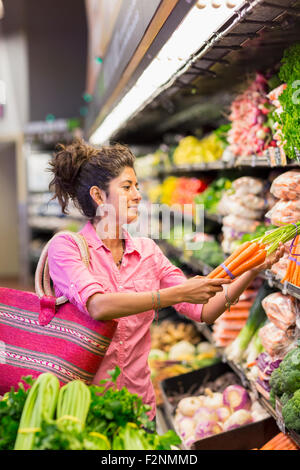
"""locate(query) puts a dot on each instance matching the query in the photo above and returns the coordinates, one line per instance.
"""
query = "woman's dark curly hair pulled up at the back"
(79, 166)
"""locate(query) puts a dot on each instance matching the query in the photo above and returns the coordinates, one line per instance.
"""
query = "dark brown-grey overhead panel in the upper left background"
(56, 34)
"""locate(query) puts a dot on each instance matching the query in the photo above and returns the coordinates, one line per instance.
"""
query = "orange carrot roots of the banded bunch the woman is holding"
(245, 257)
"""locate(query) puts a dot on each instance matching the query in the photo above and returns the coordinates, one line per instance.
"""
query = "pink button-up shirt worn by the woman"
(144, 268)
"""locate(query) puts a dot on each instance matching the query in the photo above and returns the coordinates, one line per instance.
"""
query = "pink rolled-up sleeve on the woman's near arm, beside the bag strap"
(69, 274)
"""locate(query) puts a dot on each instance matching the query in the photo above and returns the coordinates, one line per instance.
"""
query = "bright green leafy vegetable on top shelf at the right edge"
(289, 119)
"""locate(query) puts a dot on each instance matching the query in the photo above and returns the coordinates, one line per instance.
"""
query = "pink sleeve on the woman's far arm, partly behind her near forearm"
(169, 276)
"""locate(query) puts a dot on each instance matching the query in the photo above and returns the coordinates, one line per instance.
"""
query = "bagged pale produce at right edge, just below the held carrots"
(280, 309)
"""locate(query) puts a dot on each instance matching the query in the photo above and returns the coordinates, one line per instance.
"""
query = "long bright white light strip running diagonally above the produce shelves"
(197, 27)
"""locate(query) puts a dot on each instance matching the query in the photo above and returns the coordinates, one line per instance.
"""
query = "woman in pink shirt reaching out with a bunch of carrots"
(128, 277)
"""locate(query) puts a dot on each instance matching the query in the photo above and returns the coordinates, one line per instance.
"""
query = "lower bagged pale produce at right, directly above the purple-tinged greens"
(275, 341)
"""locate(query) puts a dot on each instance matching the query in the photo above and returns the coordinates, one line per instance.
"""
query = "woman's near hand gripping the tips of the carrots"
(199, 289)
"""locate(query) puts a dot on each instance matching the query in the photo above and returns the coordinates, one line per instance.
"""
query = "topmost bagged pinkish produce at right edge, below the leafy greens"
(287, 185)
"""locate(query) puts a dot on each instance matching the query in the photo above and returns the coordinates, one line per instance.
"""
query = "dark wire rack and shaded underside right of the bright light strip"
(200, 98)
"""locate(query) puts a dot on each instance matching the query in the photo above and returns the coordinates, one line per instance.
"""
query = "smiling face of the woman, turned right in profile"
(124, 196)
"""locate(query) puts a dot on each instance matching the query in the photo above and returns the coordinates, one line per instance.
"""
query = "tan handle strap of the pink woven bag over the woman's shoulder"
(42, 276)
